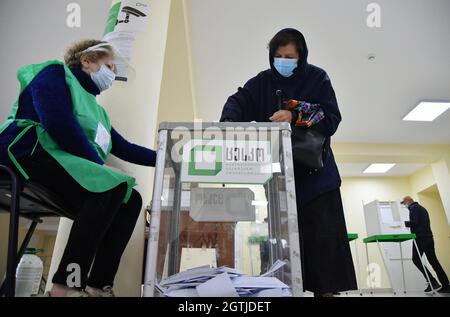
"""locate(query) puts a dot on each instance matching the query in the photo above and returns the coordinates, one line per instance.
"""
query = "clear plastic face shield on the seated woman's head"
(124, 70)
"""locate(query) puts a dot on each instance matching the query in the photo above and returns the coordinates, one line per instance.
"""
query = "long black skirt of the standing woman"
(327, 264)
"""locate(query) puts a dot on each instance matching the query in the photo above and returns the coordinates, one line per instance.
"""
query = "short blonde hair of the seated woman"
(73, 54)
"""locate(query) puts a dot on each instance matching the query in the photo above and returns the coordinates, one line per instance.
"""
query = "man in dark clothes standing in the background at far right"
(419, 223)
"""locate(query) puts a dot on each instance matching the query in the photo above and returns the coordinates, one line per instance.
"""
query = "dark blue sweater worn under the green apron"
(47, 100)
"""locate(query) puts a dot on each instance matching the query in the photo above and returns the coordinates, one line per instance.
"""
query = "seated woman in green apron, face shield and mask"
(58, 136)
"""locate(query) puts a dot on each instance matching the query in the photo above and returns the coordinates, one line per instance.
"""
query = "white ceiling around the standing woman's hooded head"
(229, 39)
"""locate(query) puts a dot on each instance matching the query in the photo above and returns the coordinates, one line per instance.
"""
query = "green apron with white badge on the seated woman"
(95, 124)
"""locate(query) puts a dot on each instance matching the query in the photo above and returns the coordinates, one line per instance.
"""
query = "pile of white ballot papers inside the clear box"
(205, 281)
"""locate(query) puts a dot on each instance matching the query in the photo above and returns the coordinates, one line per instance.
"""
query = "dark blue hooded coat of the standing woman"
(257, 101)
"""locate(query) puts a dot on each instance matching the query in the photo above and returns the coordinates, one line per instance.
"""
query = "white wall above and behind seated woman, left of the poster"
(35, 31)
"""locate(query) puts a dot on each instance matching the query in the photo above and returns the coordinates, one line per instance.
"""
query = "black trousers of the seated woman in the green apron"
(102, 224)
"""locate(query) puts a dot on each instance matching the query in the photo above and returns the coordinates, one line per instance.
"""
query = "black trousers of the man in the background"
(426, 246)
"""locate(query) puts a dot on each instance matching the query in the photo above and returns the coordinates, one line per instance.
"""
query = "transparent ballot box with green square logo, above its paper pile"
(223, 196)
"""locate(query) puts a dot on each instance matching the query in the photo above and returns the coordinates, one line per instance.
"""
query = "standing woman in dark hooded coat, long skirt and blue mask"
(327, 261)
